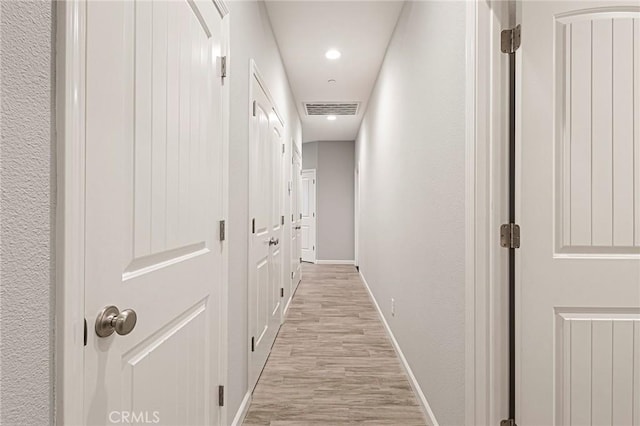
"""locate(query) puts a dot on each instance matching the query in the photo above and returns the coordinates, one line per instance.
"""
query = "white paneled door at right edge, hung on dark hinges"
(578, 298)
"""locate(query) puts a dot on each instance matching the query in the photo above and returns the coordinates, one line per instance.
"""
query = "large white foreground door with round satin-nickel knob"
(154, 196)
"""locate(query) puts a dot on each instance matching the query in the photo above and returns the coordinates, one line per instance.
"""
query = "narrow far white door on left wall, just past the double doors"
(296, 218)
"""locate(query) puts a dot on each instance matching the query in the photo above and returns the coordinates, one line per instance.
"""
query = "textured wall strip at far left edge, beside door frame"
(27, 161)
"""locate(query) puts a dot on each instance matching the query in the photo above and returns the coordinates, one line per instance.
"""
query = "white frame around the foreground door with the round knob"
(70, 226)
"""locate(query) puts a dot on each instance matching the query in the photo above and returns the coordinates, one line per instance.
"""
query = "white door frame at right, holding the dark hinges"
(486, 365)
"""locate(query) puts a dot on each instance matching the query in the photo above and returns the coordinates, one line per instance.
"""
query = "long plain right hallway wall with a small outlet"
(411, 151)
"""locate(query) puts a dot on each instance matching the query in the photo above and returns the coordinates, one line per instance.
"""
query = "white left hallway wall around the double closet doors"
(251, 38)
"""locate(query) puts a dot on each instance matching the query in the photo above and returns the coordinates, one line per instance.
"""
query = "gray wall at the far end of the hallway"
(334, 162)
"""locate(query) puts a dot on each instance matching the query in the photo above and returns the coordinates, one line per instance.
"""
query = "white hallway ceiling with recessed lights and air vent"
(305, 30)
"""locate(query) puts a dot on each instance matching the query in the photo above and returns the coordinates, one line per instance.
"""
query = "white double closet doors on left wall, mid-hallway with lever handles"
(266, 257)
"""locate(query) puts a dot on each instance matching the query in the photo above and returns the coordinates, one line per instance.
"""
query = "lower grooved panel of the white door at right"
(597, 383)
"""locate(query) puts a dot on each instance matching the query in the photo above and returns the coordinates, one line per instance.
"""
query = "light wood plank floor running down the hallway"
(332, 362)
